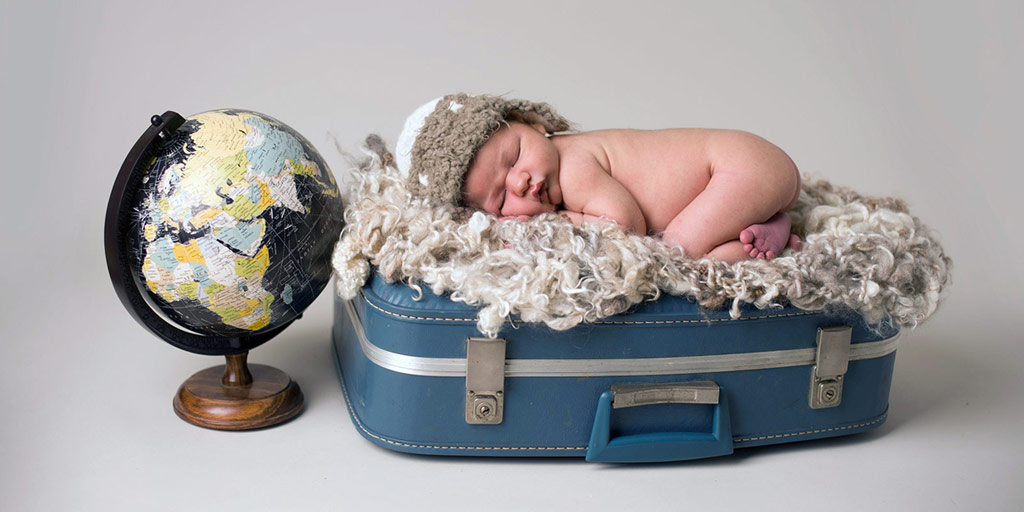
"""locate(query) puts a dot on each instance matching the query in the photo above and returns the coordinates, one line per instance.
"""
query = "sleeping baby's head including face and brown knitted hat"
(484, 152)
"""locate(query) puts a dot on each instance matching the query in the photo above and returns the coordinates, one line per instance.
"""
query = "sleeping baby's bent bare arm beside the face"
(592, 195)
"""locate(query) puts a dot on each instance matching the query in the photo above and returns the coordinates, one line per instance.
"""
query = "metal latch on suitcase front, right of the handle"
(831, 365)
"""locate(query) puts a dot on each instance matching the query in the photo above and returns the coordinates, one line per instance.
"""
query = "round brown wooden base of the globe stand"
(238, 397)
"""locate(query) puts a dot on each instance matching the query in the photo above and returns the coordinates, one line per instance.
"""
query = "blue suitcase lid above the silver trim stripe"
(435, 326)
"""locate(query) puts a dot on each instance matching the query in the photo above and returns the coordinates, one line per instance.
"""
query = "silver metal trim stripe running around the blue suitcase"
(456, 367)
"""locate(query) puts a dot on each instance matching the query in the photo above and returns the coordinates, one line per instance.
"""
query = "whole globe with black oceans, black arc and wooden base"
(219, 235)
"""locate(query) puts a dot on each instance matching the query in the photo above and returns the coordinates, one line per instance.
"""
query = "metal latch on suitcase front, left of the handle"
(485, 381)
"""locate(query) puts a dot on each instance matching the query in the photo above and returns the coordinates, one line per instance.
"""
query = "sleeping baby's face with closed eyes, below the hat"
(516, 173)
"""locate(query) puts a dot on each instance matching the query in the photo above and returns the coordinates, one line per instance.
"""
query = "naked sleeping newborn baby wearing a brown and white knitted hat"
(717, 194)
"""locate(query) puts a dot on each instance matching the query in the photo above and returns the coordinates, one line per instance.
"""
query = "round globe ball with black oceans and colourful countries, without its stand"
(237, 221)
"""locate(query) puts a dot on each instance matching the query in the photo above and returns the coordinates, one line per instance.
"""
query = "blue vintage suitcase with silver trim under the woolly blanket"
(669, 381)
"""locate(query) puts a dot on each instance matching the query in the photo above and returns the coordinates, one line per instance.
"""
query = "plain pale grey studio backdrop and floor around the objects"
(920, 101)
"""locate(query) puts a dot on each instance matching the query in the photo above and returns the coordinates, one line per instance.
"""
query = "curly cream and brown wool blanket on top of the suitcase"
(866, 254)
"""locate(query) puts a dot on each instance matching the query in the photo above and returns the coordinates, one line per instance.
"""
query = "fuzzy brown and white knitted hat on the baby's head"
(441, 139)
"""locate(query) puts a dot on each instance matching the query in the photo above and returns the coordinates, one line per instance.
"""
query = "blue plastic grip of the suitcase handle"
(661, 447)
